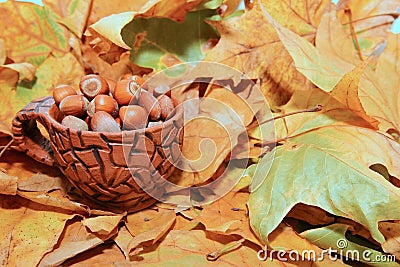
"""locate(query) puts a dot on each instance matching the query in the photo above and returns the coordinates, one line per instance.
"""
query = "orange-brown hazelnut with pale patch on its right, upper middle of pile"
(127, 92)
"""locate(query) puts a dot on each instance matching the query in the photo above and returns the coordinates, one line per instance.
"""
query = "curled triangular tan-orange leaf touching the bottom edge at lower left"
(75, 239)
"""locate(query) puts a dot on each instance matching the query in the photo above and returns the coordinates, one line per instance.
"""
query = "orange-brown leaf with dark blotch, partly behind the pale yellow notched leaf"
(265, 57)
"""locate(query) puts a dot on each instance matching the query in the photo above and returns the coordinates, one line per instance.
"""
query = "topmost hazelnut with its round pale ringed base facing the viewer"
(92, 85)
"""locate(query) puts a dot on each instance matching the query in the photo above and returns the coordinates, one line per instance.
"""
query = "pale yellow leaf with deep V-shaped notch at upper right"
(324, 68)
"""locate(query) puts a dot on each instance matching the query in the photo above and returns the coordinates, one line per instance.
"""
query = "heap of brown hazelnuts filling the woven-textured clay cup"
(105, 105)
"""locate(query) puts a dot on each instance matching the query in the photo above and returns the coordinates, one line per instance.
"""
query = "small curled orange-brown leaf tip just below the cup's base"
(102, 225)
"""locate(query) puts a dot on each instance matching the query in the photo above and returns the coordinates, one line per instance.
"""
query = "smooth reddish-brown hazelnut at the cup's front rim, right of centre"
(133, 117)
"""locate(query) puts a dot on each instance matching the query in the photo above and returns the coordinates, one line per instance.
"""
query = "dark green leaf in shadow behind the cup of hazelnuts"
(156, 41)
